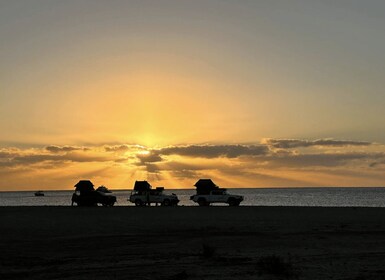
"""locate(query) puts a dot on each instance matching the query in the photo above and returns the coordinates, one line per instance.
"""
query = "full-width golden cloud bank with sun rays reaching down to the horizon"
(272, 162)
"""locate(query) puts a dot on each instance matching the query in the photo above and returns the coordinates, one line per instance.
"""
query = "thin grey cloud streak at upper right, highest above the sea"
(298, 143)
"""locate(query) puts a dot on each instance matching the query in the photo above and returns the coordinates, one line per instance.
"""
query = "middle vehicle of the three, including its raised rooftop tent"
(143, 194)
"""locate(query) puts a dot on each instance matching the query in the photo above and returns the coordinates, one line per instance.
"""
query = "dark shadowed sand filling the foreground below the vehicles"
(192, 243)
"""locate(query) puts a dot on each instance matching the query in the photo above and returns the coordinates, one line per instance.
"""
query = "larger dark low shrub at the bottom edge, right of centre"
(277, 266)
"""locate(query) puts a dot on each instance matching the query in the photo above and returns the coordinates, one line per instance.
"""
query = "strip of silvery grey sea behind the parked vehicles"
(339, 197)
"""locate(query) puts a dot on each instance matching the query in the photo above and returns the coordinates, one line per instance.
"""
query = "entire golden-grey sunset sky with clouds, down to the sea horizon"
(248, 93)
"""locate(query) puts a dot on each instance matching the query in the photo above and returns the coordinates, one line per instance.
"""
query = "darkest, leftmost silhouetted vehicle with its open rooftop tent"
(86, 195)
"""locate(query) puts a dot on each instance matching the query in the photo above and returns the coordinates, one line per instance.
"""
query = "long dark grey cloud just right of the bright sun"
(213, 151)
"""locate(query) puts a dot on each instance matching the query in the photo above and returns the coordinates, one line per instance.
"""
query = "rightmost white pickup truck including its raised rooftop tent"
(208, 192)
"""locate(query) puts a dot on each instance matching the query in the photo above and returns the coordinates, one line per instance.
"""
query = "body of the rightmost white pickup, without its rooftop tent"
(217, 196)
